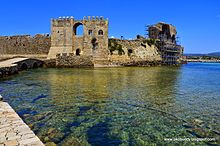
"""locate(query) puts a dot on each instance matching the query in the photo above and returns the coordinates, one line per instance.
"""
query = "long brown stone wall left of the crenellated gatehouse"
(25, 45)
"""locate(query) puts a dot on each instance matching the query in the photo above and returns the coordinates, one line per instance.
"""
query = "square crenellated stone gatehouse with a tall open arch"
(93, 42)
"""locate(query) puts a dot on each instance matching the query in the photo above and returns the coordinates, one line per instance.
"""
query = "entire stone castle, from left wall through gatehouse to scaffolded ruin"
(93, 47)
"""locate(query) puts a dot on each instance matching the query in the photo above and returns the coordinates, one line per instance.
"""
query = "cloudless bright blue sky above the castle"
(197, 21)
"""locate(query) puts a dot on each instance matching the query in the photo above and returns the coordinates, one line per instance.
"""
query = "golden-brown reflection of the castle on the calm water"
(156, 85)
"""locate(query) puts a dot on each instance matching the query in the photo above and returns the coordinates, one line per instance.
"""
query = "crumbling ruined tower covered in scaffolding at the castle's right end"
(165, 36)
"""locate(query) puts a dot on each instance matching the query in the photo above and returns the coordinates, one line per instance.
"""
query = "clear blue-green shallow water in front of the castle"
(119, 106)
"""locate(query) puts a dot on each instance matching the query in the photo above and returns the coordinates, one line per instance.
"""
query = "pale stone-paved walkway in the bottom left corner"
(13, 131)
